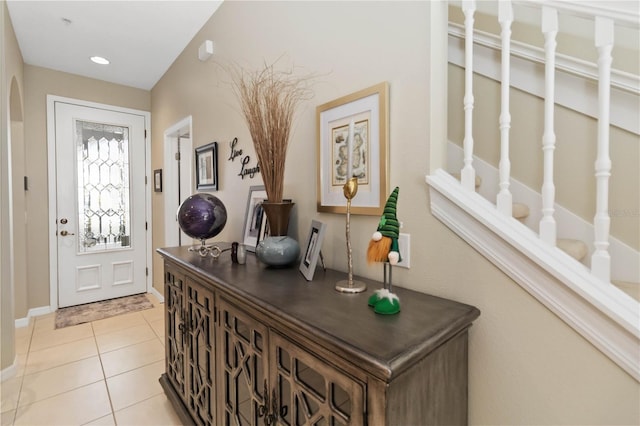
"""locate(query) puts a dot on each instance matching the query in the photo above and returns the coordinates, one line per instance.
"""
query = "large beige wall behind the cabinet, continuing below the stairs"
(526, 365)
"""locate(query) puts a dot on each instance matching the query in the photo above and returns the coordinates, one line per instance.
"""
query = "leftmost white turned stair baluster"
(468, 174)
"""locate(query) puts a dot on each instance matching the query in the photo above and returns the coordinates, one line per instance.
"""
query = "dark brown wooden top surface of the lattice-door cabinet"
(337, 321)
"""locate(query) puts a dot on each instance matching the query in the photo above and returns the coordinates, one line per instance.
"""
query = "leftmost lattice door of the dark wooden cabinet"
(174, 291)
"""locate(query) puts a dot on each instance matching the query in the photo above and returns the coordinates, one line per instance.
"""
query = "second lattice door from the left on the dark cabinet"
(200, 364)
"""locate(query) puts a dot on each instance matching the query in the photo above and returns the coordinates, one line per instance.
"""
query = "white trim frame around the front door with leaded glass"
(51, 158)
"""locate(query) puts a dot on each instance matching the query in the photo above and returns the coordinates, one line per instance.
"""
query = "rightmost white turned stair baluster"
(601, 261)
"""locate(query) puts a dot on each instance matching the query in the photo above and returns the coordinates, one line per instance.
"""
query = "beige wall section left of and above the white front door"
(40, 82)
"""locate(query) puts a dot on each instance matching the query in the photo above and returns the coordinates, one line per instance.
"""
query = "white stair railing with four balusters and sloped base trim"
(584, 298)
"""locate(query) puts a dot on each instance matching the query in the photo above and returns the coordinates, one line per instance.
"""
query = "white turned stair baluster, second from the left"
(504, 200)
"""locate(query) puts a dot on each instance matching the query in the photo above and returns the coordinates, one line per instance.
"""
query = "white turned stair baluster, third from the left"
(550, 31)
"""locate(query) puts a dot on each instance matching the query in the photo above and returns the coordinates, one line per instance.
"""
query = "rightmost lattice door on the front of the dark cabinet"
(309, 391)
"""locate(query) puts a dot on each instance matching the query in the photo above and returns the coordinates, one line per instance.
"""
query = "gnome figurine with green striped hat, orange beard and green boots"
(384, 247)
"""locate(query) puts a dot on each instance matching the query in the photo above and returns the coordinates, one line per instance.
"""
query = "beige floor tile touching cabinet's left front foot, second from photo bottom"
(135, 386)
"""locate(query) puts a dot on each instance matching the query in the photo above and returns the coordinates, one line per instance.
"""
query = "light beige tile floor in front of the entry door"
(100, 373)
